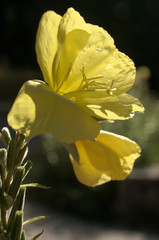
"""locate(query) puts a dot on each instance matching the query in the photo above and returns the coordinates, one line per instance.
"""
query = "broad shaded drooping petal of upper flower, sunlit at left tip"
(38, 110)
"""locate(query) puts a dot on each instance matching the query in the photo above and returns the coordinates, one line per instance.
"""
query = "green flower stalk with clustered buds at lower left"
(13, 171)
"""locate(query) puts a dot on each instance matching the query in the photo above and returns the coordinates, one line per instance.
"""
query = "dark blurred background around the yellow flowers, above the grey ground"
(134, 24)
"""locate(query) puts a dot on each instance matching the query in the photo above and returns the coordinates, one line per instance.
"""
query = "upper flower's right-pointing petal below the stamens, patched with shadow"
(103, 105)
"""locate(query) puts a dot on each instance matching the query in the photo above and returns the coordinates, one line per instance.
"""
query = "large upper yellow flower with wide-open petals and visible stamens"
(86, 78)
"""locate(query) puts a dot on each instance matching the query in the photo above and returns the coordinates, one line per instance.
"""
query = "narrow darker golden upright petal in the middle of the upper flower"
(73, 44)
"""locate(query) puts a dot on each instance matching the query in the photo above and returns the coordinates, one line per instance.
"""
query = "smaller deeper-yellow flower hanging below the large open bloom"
(110, 157)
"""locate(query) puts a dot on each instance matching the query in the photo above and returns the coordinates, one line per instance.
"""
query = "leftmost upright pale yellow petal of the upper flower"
(47, 43)
